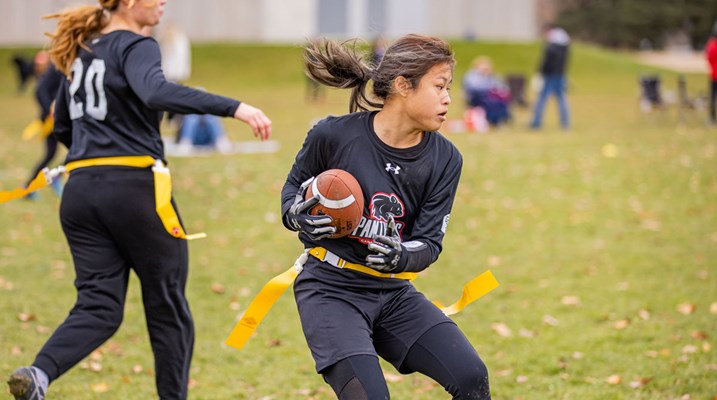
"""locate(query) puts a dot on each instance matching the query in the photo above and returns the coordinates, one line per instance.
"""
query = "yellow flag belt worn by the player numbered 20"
(162, 186)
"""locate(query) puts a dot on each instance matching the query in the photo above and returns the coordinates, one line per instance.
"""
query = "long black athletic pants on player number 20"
(109, 218)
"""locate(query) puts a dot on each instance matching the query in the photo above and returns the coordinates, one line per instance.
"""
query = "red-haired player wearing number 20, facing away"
(108, 114)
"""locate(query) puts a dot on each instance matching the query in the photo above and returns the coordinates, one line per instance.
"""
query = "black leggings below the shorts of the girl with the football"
(443, 353)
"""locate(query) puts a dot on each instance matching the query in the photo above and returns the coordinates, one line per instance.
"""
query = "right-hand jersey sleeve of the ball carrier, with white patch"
(426, 240)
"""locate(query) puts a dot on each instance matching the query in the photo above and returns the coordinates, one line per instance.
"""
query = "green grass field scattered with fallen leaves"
(604, 241)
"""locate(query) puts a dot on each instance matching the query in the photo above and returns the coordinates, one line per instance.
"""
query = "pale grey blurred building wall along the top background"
(291, 21)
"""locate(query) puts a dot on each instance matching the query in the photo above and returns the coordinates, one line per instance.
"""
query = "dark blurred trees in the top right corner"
(637, 23)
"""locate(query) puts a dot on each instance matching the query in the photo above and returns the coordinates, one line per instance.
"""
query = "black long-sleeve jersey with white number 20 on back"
(112, 104)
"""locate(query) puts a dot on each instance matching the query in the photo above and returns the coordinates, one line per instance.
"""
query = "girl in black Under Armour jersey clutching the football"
(354, 295)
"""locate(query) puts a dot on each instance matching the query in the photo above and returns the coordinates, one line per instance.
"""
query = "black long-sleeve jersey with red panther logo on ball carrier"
(417, 185)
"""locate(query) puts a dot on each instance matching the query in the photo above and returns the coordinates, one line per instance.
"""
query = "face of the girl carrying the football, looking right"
(428, 103)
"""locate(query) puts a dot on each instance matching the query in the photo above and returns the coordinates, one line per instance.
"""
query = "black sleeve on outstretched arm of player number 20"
(143, 70)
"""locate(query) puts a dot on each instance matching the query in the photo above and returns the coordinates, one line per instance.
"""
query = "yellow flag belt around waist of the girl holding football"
(272, 290)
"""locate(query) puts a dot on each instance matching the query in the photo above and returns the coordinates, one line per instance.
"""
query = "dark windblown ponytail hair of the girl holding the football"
(341, 65)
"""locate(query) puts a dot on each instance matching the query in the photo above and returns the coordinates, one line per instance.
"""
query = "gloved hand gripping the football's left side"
(299, 219)
